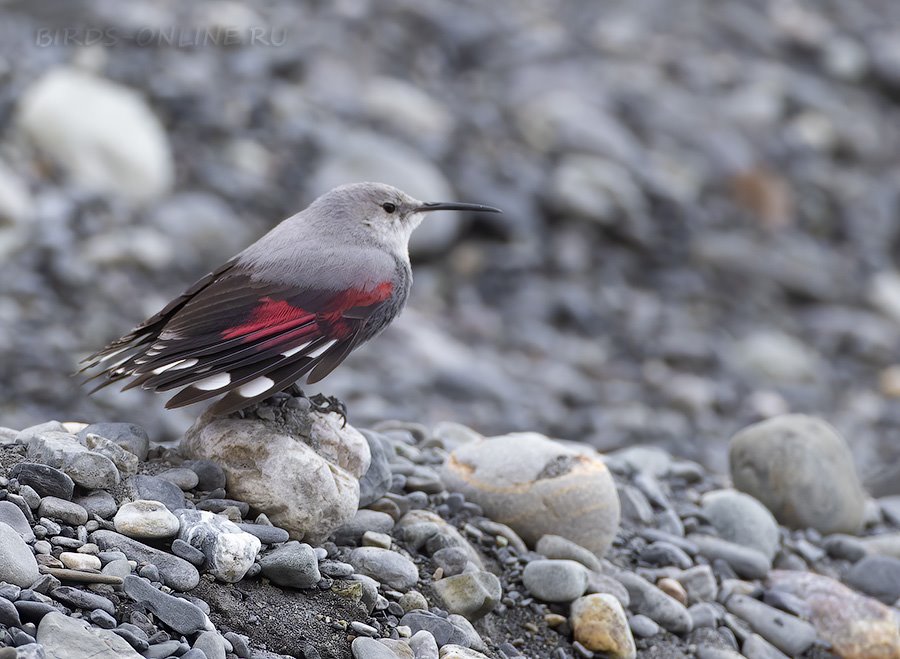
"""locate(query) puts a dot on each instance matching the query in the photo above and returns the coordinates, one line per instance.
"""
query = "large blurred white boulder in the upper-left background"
(104, 134)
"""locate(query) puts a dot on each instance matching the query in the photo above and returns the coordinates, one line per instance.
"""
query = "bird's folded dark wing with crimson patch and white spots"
(244, 337)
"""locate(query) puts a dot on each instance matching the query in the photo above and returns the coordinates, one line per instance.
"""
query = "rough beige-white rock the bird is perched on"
(262, 459)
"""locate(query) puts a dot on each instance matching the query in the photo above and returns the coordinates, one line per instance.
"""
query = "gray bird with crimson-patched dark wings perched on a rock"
(291, 306)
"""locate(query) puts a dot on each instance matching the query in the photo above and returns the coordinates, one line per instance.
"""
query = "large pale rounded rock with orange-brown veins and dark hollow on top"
(549, 489)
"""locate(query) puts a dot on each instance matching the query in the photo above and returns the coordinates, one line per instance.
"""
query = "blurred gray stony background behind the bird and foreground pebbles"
(701, 202)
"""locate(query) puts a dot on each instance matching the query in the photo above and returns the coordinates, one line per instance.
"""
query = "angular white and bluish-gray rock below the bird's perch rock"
(229, 551)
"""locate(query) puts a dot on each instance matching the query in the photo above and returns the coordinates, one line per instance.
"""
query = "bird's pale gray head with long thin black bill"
(379, 213)
